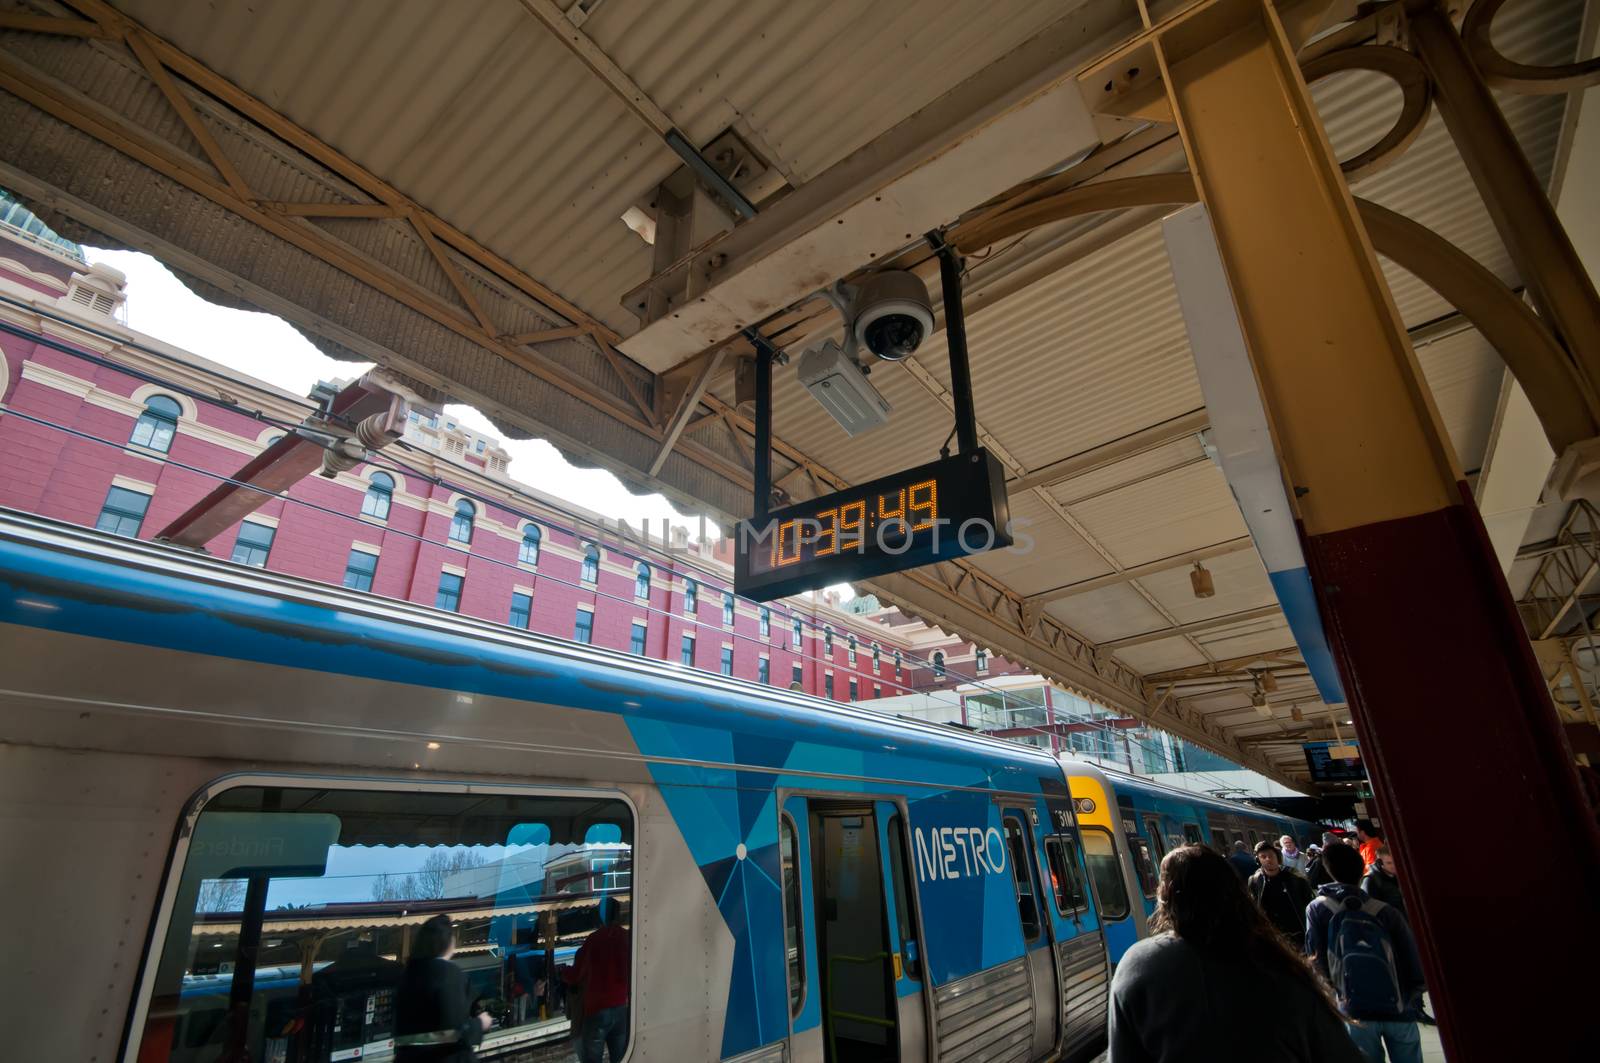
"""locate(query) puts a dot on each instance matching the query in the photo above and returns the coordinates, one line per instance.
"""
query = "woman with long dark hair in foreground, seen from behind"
(1218, 982)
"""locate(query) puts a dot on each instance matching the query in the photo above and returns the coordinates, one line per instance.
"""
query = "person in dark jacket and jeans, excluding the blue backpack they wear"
(1398, 1035)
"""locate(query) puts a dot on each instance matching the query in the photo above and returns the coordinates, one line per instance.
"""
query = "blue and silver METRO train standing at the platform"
(214, 771)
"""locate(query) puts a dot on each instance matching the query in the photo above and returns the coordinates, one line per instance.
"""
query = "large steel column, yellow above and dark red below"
(1455, 723)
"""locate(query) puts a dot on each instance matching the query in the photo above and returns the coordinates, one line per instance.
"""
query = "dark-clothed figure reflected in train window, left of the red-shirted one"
(434, 1021)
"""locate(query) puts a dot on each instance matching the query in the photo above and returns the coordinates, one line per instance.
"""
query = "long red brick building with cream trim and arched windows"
(111, 428)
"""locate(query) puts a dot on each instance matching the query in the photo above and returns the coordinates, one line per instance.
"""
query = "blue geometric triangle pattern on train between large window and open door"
(730, 824)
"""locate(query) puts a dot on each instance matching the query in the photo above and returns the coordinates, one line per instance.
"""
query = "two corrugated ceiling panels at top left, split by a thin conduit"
(482, 116)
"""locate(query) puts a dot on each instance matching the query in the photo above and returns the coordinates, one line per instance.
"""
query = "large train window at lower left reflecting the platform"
(306, 918)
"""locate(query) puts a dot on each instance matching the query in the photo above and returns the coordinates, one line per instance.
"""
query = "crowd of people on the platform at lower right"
(1308, 950)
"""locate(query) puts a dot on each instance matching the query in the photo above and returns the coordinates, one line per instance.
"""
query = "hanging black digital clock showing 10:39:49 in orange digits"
(950, 508)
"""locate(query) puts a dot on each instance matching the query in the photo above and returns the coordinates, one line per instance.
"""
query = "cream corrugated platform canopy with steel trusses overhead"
(566, 212)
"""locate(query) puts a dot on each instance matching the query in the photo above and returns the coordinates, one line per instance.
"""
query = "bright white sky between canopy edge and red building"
(268, 348)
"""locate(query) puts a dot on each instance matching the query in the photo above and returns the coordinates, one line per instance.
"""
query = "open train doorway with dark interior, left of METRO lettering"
(857, 963)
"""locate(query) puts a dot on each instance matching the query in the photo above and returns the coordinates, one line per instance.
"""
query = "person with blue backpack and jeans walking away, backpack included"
(1367, 953)
